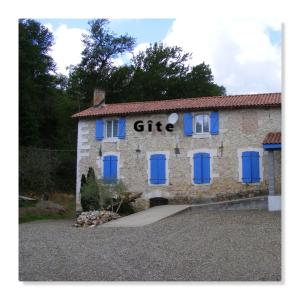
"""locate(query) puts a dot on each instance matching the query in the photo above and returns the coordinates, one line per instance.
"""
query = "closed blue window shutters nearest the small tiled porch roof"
(250, 167)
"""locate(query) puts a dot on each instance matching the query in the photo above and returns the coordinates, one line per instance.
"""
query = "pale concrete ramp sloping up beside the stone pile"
(147, 216)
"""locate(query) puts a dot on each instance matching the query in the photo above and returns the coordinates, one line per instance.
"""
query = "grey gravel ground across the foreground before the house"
(194, 245)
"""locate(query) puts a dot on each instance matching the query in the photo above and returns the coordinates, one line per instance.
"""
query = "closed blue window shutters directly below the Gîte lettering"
(158, 169)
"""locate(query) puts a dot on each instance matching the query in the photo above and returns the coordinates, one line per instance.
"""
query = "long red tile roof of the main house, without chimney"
(201, 103)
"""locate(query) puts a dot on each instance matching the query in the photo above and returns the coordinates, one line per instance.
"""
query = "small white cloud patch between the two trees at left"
(68, 46)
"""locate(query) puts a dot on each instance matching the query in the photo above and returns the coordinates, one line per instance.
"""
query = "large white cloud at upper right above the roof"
(240, 52)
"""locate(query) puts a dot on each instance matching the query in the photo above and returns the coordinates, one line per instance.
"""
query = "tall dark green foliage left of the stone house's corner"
(44, 115)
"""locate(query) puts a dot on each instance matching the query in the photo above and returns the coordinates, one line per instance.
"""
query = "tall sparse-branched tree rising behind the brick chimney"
(101, 47)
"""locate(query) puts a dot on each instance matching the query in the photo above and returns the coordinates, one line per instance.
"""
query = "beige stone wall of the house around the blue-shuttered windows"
(239, 130)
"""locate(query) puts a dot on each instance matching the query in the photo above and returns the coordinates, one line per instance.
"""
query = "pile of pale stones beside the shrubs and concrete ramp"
(95, 217)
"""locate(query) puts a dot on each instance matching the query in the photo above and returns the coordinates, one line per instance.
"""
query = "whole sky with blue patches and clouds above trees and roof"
(244, 55)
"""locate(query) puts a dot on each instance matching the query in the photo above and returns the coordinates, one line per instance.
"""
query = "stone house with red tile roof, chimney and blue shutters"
(190, 150)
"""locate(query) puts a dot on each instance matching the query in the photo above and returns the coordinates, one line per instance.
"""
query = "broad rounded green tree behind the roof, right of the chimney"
(161, 72)
